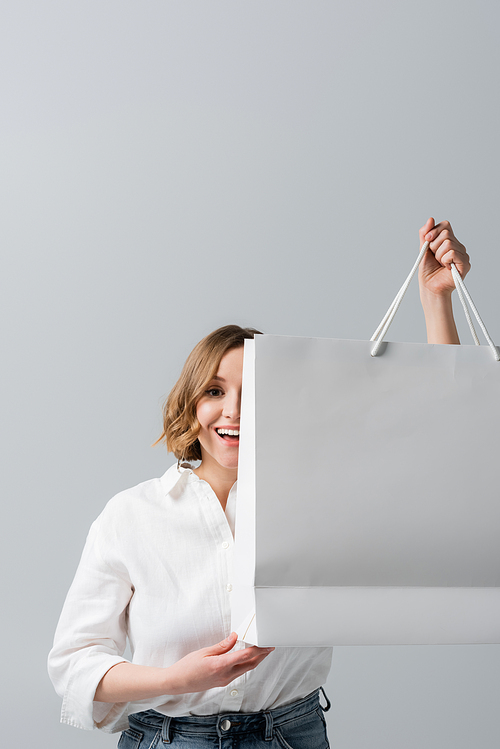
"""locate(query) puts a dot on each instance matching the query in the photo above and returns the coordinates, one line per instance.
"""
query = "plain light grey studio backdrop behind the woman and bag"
(168, 167)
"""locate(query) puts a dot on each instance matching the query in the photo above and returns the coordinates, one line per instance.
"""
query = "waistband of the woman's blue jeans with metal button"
(235, 723)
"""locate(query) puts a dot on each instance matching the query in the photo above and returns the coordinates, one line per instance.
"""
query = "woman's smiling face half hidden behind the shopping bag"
(218, 412)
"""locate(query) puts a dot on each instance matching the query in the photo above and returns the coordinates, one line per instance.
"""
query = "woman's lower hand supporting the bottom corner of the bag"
(215, 666)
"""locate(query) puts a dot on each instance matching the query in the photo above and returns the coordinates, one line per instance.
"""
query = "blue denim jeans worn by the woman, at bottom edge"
(300, 725)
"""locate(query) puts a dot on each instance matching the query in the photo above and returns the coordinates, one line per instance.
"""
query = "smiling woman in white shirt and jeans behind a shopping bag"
(156, 568)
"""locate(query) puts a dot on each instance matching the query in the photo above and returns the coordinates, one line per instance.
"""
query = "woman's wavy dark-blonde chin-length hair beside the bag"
(180, 424)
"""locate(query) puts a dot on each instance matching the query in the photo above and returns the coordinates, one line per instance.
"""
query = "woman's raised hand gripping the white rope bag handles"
(444, 248)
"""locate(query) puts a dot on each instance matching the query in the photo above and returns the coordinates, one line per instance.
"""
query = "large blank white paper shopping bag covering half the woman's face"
(368, 503)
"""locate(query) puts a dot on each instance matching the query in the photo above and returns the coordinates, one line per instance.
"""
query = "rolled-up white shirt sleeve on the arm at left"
(91, 634)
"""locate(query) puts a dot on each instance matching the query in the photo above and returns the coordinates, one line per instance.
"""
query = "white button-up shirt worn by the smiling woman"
(157, 568)
